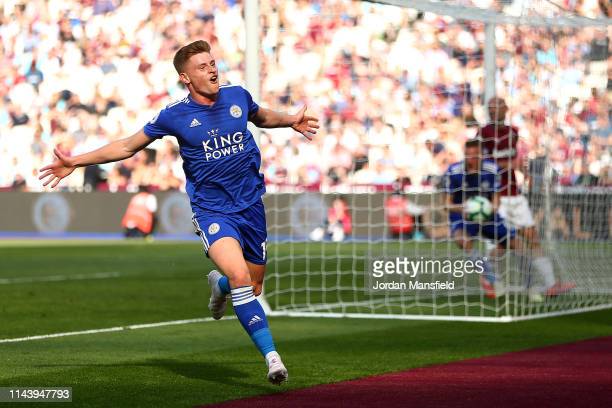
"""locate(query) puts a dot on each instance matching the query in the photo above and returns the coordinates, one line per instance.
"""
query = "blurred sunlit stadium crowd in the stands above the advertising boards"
(398, 91)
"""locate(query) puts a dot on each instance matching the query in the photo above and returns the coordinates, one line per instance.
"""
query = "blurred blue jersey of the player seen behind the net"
(462, 185)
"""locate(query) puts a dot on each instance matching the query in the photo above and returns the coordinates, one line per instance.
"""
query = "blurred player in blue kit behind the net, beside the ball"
(469, 178)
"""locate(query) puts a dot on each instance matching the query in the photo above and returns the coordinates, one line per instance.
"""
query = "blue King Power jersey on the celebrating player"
(220, 157)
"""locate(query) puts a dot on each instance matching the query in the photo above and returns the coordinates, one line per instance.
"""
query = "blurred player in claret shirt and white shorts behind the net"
(499, 143)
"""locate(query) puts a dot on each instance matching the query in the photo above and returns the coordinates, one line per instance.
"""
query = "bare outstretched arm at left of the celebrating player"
(120, 149)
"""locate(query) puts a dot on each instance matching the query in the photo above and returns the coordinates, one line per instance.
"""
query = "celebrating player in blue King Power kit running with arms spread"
(221, 162)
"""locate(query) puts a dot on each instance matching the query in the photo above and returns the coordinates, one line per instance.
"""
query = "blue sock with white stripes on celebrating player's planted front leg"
(252, 317)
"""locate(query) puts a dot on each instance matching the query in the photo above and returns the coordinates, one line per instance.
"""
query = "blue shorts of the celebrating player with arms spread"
(248, 227)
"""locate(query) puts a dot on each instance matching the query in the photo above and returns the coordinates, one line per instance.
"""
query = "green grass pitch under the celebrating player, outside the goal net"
(199, 363)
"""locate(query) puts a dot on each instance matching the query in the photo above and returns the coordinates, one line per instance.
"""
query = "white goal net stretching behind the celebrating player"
(358, 218)
